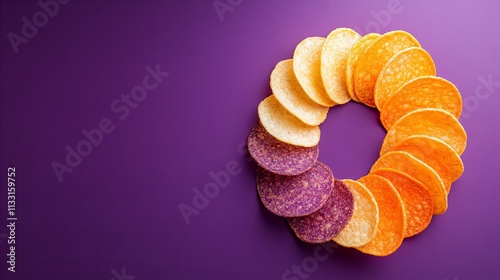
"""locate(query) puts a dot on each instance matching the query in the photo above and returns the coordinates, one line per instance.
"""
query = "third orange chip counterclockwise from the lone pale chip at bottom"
(406, 163)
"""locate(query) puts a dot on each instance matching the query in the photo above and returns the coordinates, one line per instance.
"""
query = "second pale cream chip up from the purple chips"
(290, 94)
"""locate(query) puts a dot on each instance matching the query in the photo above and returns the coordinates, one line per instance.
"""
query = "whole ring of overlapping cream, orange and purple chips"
(419, 158)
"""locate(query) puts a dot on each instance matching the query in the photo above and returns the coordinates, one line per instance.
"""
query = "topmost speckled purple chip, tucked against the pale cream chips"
(278, 157)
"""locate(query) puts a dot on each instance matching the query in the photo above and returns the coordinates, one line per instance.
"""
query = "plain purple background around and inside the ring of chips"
(119, 207)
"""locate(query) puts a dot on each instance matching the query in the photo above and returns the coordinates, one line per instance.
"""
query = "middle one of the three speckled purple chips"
(295, 196)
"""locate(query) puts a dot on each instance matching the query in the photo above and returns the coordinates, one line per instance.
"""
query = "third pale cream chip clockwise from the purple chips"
(307, 69)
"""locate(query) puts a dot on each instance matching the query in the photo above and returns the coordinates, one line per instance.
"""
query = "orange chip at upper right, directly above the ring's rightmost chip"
(419, 93)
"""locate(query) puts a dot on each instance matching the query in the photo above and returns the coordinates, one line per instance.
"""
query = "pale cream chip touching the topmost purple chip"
(284, 126)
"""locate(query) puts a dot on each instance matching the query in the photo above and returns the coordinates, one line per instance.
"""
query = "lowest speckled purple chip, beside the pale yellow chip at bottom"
(326, 223)
